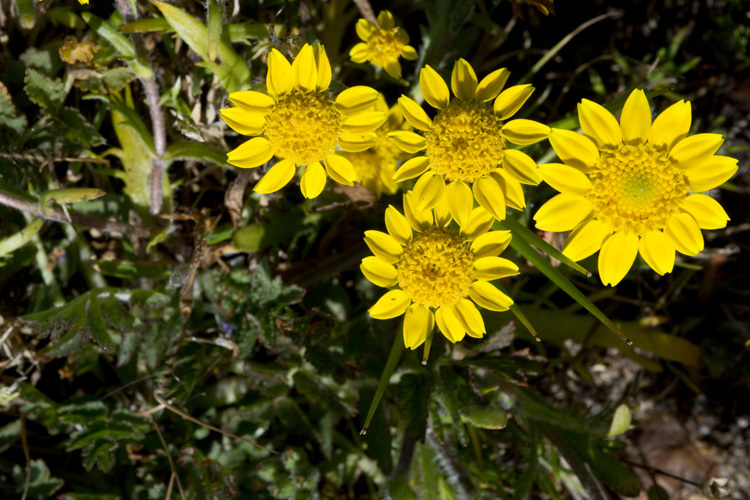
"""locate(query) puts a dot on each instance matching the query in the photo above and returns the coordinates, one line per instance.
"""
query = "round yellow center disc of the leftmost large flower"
(303, 127)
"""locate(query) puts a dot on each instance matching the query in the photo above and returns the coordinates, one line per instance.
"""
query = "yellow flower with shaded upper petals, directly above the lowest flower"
(466, 144)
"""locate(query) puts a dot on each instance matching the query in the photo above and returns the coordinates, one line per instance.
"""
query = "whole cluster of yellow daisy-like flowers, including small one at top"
(626, 188)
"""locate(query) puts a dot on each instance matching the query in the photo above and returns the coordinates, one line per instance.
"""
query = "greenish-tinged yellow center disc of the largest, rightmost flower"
(636, 189)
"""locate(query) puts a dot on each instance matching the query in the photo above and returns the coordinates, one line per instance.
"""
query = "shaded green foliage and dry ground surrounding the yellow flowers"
(120, 345)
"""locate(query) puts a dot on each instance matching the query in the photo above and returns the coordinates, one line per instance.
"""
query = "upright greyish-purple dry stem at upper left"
(157, 119)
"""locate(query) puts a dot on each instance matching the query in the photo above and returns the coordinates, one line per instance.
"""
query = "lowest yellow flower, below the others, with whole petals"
(435, 272)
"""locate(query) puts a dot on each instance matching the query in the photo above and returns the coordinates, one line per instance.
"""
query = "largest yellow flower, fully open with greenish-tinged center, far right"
(634, 187)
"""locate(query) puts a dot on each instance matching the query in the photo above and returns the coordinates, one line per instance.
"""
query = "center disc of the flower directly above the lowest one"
(465, 141)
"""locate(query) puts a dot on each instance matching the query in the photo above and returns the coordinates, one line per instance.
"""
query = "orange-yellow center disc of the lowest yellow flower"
(436, 268)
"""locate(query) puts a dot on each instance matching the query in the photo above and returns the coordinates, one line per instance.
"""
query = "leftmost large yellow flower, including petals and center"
(301, 124)
